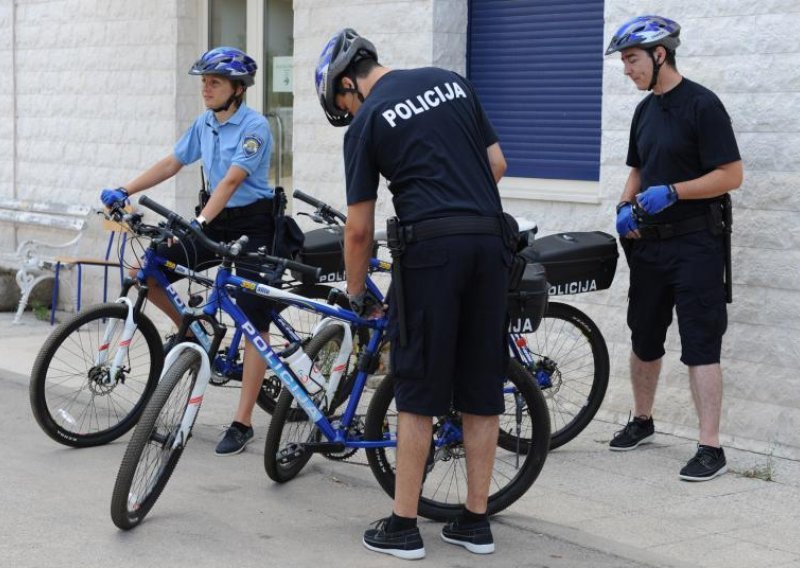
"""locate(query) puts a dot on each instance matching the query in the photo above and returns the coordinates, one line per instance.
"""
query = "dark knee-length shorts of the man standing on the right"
(686, 273)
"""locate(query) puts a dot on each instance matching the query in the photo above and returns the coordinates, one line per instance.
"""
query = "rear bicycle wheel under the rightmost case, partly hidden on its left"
(571, 355)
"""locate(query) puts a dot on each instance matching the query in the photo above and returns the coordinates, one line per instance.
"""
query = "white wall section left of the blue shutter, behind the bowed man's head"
(411, 33)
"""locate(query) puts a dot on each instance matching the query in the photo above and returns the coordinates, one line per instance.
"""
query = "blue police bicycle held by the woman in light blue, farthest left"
(95, 373)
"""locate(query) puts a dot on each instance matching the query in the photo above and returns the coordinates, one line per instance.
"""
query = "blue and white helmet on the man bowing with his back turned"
(344, 49)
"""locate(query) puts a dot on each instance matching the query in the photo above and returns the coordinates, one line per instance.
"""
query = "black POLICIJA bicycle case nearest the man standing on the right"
(575, 262)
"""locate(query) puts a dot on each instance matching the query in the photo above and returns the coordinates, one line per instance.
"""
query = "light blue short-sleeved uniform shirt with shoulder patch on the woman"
(244, 141)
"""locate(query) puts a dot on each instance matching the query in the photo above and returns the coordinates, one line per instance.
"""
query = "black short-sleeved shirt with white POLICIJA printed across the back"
(425, 131)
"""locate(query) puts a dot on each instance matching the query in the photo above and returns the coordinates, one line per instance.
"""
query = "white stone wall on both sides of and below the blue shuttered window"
(744, 50)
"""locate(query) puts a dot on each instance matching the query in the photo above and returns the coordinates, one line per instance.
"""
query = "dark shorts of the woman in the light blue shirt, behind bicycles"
(260, 230)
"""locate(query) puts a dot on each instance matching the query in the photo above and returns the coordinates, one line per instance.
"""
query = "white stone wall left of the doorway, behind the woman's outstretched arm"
(101, 92)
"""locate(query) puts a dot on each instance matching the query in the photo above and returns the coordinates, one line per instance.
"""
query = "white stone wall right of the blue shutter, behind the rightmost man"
(746, 52)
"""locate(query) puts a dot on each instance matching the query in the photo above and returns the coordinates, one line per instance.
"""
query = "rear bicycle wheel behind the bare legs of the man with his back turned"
(514, 472)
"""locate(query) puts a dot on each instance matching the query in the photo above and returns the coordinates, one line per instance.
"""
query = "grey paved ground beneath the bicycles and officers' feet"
(589, 506)
